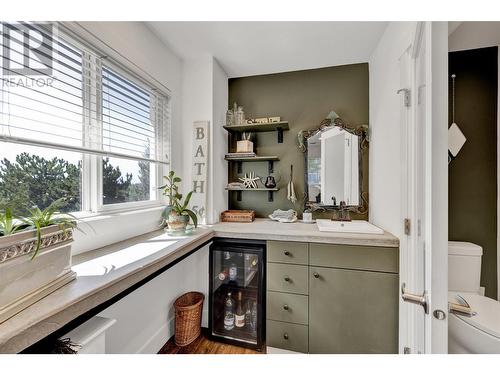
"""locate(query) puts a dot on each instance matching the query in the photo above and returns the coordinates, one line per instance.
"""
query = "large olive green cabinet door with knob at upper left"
(352, 311)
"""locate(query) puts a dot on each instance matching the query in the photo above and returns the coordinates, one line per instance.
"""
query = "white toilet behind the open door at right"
(481, 332)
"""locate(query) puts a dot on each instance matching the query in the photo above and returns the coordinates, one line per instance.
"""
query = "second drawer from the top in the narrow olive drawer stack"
(287, 278)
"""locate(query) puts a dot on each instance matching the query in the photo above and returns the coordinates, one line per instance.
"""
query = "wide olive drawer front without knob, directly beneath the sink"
(383, 259)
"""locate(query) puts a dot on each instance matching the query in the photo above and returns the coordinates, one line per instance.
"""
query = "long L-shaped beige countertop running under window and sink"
(106, 272)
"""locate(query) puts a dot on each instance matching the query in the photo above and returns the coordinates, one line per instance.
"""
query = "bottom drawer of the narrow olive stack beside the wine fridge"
(287, 336)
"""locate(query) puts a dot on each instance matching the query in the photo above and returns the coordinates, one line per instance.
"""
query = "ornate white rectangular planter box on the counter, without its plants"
(24, 281)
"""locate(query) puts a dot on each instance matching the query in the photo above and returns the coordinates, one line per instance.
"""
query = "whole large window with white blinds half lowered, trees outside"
(75, 125)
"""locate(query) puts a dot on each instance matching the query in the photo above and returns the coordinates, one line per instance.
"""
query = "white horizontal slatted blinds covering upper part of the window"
(70, 98)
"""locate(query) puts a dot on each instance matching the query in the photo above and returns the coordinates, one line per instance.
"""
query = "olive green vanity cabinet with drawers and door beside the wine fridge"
(348, 304)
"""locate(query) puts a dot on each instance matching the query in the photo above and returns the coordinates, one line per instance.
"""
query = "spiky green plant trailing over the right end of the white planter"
(38, 219)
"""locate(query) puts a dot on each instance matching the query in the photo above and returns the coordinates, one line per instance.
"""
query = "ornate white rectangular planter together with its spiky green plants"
(35, 256)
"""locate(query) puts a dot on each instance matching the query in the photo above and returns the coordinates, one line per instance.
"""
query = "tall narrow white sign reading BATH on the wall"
(200, 166)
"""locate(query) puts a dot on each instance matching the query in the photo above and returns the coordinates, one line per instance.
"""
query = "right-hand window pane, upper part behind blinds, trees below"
(127, 126)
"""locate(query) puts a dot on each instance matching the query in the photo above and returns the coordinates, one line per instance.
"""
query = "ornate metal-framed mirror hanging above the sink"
(334, 164)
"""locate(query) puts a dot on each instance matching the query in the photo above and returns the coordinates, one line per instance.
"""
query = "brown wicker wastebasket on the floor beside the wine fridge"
(188, 310)
